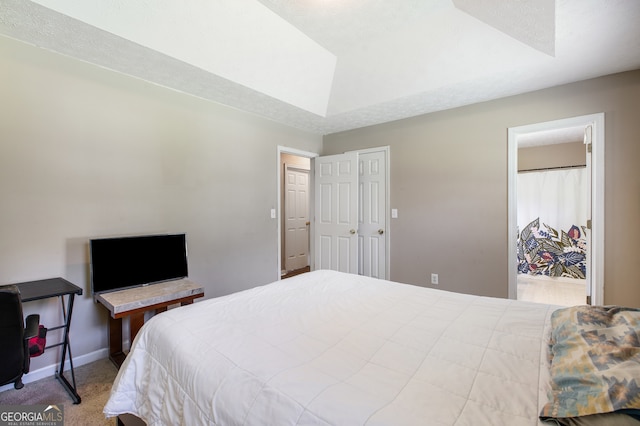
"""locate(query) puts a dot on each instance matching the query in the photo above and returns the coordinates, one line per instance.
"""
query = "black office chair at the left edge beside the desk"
(14, 337)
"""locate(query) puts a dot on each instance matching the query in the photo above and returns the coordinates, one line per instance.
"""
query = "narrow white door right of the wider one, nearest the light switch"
(372, 225)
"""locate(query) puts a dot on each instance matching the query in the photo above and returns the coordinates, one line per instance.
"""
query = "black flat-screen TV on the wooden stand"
(124, 262)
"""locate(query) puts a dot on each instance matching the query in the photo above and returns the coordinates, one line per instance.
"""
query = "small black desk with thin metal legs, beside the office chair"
(56, 287)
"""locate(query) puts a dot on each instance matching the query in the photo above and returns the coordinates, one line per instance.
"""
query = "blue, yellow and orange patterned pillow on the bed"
(595, 362)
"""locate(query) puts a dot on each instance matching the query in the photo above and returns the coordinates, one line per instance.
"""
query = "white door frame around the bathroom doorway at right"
(597, 121)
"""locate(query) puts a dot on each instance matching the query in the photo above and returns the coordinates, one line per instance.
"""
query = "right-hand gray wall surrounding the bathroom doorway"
(449, 184)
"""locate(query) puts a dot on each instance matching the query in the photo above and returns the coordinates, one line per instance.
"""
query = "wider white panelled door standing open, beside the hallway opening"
(336, 217)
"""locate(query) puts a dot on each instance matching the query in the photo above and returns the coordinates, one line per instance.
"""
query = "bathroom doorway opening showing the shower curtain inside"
(552, 214)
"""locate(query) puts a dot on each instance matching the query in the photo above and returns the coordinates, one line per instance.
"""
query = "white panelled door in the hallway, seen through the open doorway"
(296, 198)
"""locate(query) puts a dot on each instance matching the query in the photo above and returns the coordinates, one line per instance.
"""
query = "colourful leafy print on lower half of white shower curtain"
(545, 251)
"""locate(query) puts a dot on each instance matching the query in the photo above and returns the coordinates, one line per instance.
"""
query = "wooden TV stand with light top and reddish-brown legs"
(134, 302)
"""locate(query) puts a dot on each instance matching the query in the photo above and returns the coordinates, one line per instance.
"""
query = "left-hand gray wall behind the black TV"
(86, 152)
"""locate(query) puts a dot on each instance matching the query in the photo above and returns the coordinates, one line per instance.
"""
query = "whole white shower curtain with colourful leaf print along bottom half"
(552, 219)
